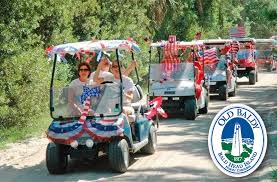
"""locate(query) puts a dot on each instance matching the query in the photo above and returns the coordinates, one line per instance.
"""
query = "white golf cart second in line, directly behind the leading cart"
(176, 75)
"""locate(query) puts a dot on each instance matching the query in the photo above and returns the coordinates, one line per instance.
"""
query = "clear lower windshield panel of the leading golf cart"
(69, 101)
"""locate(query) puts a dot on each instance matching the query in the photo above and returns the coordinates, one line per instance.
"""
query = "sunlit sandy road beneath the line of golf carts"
(182, 152)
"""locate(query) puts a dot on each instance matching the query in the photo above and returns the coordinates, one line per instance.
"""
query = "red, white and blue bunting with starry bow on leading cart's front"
(98, 129)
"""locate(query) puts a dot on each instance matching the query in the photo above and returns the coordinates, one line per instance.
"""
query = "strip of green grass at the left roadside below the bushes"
(34, 129)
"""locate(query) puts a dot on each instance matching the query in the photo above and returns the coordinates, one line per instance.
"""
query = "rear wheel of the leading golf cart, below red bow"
(151, 146)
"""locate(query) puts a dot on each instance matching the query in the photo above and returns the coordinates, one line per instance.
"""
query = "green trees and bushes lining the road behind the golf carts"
(29, 26)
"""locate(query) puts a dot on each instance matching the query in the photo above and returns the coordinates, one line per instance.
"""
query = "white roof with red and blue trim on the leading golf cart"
(94, 46)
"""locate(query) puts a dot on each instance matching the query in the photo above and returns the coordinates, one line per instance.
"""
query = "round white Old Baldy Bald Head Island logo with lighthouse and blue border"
(237, 140)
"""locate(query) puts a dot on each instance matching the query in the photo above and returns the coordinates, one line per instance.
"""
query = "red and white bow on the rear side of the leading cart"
(155, 108)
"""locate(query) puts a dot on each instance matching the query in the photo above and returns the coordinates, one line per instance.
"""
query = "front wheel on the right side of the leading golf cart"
(119, 155)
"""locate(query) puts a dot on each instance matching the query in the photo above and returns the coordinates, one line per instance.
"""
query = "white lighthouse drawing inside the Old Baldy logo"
(237, 148)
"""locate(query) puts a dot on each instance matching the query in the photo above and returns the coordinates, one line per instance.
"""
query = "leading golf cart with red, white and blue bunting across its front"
(107, 130)
